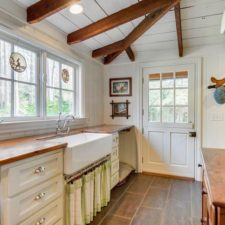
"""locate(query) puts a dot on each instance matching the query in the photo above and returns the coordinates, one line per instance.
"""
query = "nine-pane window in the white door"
(168, 97)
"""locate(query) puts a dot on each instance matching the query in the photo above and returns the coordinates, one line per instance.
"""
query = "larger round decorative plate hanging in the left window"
(17, 62)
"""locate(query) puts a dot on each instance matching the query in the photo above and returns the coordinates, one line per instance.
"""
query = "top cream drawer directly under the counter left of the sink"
(33, 171)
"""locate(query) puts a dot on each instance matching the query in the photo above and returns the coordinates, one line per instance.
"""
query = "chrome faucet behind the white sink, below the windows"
(65, 128)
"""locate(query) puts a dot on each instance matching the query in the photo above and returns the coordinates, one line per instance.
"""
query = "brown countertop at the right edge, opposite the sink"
(214, 163)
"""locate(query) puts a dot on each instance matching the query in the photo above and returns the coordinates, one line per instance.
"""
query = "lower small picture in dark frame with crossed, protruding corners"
(120, 109)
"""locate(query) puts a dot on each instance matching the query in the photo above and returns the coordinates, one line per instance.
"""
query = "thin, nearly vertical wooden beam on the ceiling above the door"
(179, 29)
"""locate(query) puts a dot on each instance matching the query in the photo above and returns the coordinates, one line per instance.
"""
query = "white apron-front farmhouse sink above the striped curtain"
(83, 149)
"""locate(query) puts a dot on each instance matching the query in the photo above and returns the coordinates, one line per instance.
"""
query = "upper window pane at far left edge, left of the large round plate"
(5, 52)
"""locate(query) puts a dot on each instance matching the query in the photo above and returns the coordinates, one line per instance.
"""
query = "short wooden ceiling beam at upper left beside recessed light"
(45, 8)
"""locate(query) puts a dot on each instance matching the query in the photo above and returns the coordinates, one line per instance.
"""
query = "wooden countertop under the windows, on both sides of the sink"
(22, 148)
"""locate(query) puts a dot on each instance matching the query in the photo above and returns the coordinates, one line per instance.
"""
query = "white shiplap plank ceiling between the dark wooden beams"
(200, 23)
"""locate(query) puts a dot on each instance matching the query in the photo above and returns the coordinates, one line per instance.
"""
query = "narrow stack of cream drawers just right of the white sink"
(115, 161)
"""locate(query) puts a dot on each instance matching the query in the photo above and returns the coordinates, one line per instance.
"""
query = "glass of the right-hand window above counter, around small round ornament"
(60, 96)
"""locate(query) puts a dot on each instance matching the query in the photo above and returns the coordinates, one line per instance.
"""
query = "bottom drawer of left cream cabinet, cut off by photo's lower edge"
(50, 215)
